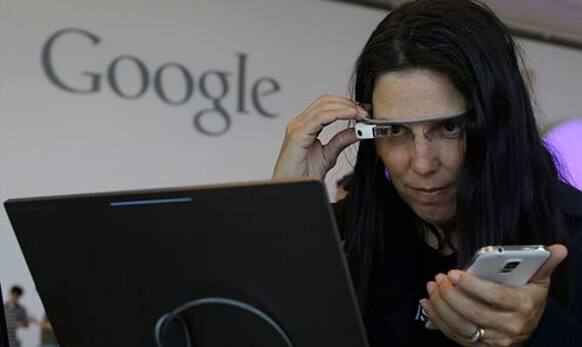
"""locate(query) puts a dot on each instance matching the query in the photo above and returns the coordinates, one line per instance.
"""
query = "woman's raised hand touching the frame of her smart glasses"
(302, 154)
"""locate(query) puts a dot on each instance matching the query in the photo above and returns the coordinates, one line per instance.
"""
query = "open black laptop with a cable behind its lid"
(256, 264)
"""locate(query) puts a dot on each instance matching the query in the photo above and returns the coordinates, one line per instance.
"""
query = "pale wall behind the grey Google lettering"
(56, 142)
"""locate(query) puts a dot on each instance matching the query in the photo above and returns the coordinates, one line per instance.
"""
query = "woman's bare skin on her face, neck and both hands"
(424, 175)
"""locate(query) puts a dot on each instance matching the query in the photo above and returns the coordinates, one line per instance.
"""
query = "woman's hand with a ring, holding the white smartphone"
(459, 304)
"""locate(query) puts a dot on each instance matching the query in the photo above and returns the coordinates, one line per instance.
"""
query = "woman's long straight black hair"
(506, 184)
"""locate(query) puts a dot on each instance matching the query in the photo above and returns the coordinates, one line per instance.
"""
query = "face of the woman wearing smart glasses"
(423, 159)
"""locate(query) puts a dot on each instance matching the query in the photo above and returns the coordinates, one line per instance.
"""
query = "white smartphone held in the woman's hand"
(512, 266)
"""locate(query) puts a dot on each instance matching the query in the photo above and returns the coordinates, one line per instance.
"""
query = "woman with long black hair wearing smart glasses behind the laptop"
(465, 167)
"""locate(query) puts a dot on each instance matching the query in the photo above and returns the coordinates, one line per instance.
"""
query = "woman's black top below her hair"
(394, 318)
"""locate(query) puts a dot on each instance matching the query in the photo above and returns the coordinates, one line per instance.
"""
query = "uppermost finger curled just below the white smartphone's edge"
(491, 293)
